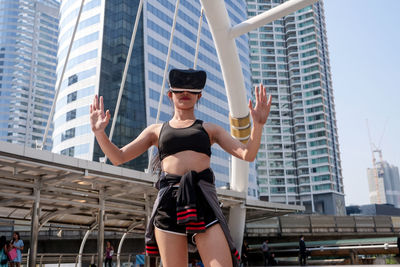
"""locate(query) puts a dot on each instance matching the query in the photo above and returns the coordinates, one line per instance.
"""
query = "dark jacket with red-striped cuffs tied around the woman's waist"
(195, 189)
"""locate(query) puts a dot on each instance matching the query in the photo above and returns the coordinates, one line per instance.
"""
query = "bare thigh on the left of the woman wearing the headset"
(173, 249)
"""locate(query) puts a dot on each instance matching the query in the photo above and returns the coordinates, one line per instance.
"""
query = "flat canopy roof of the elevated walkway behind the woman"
(70, 189)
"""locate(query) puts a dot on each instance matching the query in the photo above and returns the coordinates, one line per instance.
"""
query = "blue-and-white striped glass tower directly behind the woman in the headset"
(96, 66)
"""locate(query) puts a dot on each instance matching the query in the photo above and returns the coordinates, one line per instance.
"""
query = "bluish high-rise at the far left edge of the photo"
(28, 58)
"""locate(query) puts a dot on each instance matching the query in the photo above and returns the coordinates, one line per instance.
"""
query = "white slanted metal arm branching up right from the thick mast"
(268, 16)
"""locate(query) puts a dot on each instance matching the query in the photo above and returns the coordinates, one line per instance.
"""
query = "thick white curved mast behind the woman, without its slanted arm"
(219, 24)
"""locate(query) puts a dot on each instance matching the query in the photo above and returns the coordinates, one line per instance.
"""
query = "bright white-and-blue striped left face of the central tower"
(72, 135)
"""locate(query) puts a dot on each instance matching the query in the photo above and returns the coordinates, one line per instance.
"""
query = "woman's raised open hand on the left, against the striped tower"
(98, 119)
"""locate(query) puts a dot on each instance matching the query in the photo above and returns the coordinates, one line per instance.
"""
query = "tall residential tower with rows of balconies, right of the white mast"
(298, 162)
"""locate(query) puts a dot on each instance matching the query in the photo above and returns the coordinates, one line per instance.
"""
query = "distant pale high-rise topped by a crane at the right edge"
(384, 184)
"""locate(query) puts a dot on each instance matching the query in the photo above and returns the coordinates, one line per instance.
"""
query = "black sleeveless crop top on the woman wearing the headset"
(174, 140)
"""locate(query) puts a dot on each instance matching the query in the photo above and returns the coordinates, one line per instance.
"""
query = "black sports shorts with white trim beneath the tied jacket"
(165, 218)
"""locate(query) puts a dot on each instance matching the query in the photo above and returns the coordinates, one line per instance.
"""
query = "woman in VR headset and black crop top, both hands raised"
(187, 203)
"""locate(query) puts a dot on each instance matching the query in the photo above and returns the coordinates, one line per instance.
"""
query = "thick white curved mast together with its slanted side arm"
(223, 35)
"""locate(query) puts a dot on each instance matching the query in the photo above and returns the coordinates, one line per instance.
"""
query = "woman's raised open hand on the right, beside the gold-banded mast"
(261, 110)
